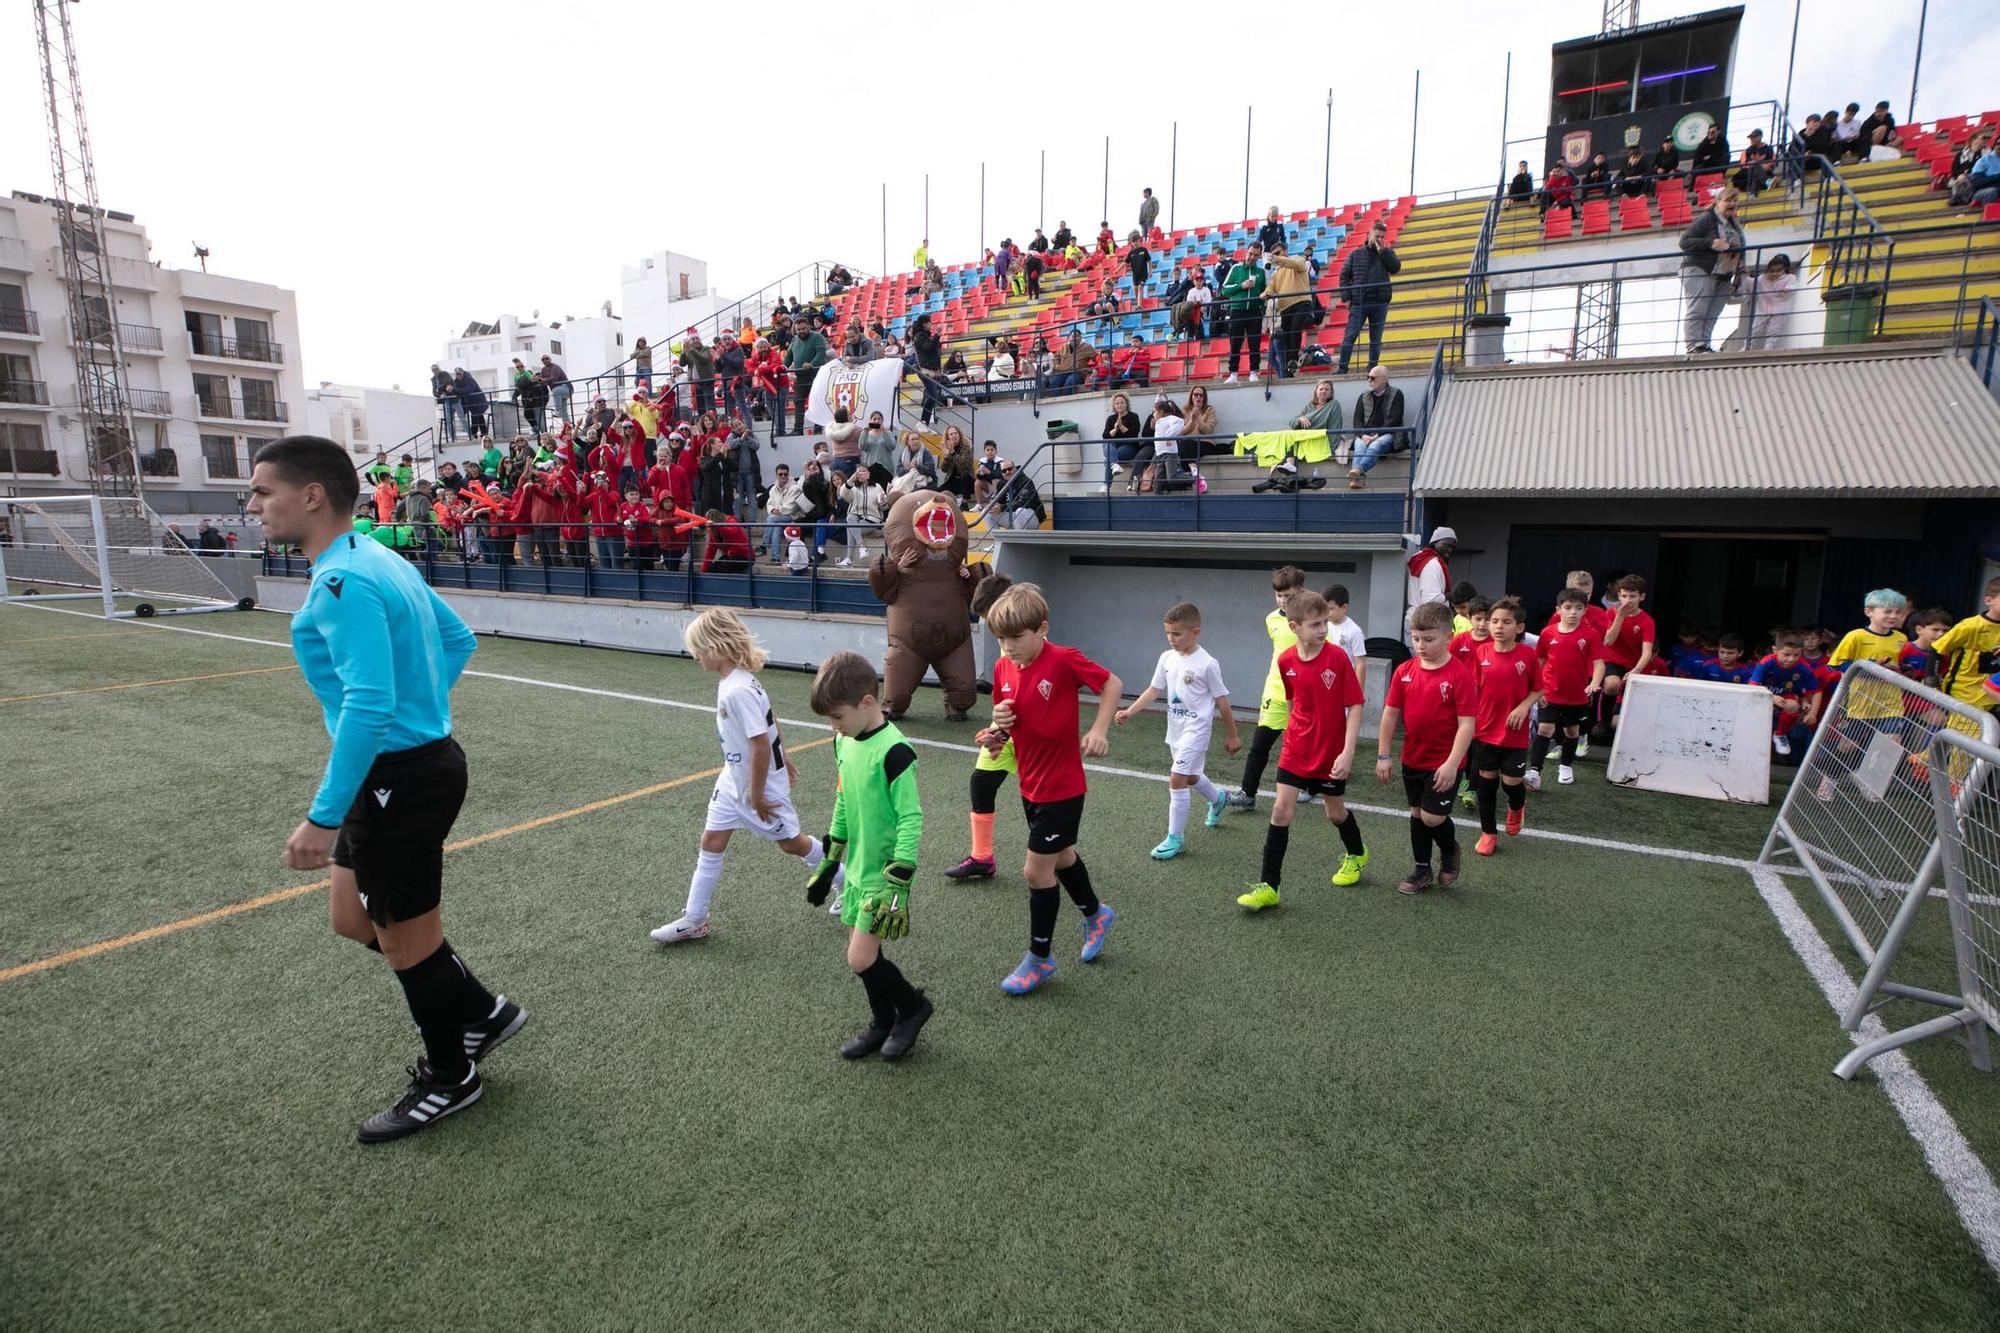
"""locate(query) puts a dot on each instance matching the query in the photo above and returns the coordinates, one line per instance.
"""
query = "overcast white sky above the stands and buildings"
(413, 167)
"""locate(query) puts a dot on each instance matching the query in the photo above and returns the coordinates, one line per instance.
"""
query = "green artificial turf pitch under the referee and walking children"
(1587, 1090)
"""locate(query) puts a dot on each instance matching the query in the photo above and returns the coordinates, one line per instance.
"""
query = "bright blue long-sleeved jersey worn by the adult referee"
(381, 651)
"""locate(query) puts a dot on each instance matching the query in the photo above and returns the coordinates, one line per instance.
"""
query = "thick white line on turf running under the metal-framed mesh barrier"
(1965, 1178)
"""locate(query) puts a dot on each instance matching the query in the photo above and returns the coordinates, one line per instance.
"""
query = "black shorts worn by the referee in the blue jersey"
(395, 832)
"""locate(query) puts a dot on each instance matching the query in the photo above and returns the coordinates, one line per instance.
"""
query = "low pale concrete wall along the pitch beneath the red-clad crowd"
(649, 627)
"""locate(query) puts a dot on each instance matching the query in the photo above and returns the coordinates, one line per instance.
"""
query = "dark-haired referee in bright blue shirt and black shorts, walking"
(381, 651)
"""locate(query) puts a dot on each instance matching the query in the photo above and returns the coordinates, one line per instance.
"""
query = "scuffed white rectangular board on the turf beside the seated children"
(1695, 740)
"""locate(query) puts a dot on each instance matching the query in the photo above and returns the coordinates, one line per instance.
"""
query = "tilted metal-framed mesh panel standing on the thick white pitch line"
(1859, 818)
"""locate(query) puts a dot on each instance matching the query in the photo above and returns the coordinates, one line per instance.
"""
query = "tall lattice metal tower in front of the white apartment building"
(111, 443)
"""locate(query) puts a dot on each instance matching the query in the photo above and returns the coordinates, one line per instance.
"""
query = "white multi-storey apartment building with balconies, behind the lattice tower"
(213, 367)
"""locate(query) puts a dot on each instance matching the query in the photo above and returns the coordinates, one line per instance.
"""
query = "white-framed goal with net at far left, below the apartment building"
(103, 549)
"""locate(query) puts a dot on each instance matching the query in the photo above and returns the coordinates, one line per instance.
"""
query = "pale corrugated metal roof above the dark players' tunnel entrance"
(1833, 425)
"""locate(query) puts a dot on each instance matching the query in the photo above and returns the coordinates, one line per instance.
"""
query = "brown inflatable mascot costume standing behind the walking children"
(927, 587)
